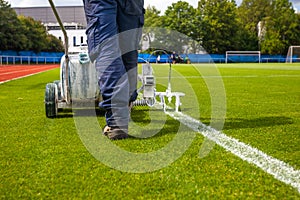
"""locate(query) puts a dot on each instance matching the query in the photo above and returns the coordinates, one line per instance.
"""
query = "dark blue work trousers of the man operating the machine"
(113, 33)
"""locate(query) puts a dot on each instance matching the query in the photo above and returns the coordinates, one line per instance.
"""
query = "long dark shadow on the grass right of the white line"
(240, 123)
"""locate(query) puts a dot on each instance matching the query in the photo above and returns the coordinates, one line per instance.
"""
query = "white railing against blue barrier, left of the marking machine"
(28, 60)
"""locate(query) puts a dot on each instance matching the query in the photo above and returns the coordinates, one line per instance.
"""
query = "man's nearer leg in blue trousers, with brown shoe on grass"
(104, 49)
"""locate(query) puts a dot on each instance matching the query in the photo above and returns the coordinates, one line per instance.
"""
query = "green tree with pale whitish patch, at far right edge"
(268, 25)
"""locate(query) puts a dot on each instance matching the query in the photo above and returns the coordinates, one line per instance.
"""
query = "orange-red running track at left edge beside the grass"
(10, 72)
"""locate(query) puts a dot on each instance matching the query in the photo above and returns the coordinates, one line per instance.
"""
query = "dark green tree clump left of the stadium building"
(24, 33)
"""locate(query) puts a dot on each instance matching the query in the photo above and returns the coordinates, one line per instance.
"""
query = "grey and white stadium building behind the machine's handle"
(73, 18)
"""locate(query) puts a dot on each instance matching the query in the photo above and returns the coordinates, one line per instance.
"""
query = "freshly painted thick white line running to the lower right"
(279, 169)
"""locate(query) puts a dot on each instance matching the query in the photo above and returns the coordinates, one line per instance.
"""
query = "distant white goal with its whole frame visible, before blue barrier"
(243, 56)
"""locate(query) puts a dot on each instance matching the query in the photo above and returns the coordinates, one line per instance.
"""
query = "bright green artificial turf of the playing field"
(45, 158)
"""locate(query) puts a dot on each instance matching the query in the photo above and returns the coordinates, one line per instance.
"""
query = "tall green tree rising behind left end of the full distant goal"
(219, 24)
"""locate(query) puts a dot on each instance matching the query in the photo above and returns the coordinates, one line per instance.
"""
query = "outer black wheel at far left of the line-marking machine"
(51, 100)
